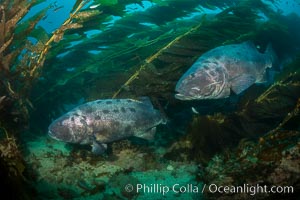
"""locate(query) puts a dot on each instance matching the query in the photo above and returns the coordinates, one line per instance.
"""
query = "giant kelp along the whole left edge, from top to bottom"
(22, 54)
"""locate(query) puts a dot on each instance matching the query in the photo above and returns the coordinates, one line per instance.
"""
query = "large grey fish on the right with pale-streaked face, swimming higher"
(224, 69)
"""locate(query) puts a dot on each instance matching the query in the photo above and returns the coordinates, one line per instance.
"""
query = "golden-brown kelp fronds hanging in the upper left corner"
(21, 59)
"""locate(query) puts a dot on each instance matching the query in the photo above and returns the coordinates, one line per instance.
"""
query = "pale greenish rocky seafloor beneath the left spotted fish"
(61, 173)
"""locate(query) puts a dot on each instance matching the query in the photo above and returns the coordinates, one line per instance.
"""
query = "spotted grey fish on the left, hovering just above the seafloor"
(103, 121)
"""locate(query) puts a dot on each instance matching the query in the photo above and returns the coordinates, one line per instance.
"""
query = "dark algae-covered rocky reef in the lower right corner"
(272, 161)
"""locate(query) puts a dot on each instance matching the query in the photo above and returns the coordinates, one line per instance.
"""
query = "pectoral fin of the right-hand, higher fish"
(241, 83)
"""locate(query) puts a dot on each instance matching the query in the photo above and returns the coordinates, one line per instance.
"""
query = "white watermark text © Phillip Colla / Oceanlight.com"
(210, 188)
